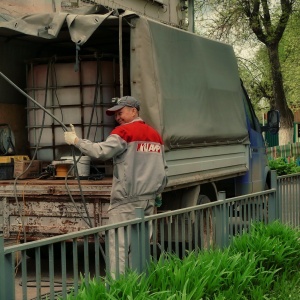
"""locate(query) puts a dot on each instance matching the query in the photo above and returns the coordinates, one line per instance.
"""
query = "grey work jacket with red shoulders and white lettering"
(139, 163)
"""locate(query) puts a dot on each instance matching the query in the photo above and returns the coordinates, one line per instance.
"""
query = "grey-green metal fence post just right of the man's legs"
(140, 243)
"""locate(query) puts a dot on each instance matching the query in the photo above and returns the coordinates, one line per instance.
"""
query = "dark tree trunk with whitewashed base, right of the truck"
(280, 103)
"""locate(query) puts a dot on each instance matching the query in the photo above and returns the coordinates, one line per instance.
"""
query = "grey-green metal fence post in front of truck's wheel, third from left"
(222, 216)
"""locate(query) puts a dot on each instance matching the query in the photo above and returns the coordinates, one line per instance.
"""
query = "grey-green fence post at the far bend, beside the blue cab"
(274, 207)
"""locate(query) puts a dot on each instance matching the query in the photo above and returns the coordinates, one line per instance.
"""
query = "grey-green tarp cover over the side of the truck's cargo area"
(188, 85)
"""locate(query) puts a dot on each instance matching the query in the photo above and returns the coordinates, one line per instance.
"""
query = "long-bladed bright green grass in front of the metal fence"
(262, 264)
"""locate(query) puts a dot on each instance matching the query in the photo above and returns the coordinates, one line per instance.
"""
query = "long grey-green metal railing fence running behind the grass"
(53, 266)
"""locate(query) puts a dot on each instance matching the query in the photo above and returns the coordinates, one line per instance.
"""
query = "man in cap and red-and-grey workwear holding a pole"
(139, 175)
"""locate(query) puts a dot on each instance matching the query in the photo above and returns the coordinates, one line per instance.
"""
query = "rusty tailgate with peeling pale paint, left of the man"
(47, 208)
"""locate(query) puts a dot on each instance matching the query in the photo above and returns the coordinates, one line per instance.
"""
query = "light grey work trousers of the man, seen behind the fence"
(120, 258)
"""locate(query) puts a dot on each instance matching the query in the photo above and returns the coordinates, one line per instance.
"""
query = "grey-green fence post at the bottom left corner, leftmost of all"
(7, 283)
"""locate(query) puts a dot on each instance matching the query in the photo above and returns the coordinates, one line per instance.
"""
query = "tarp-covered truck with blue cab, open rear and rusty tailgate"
(71, 64)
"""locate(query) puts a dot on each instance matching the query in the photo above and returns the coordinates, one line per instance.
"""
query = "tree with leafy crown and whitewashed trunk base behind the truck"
(254, 25)
